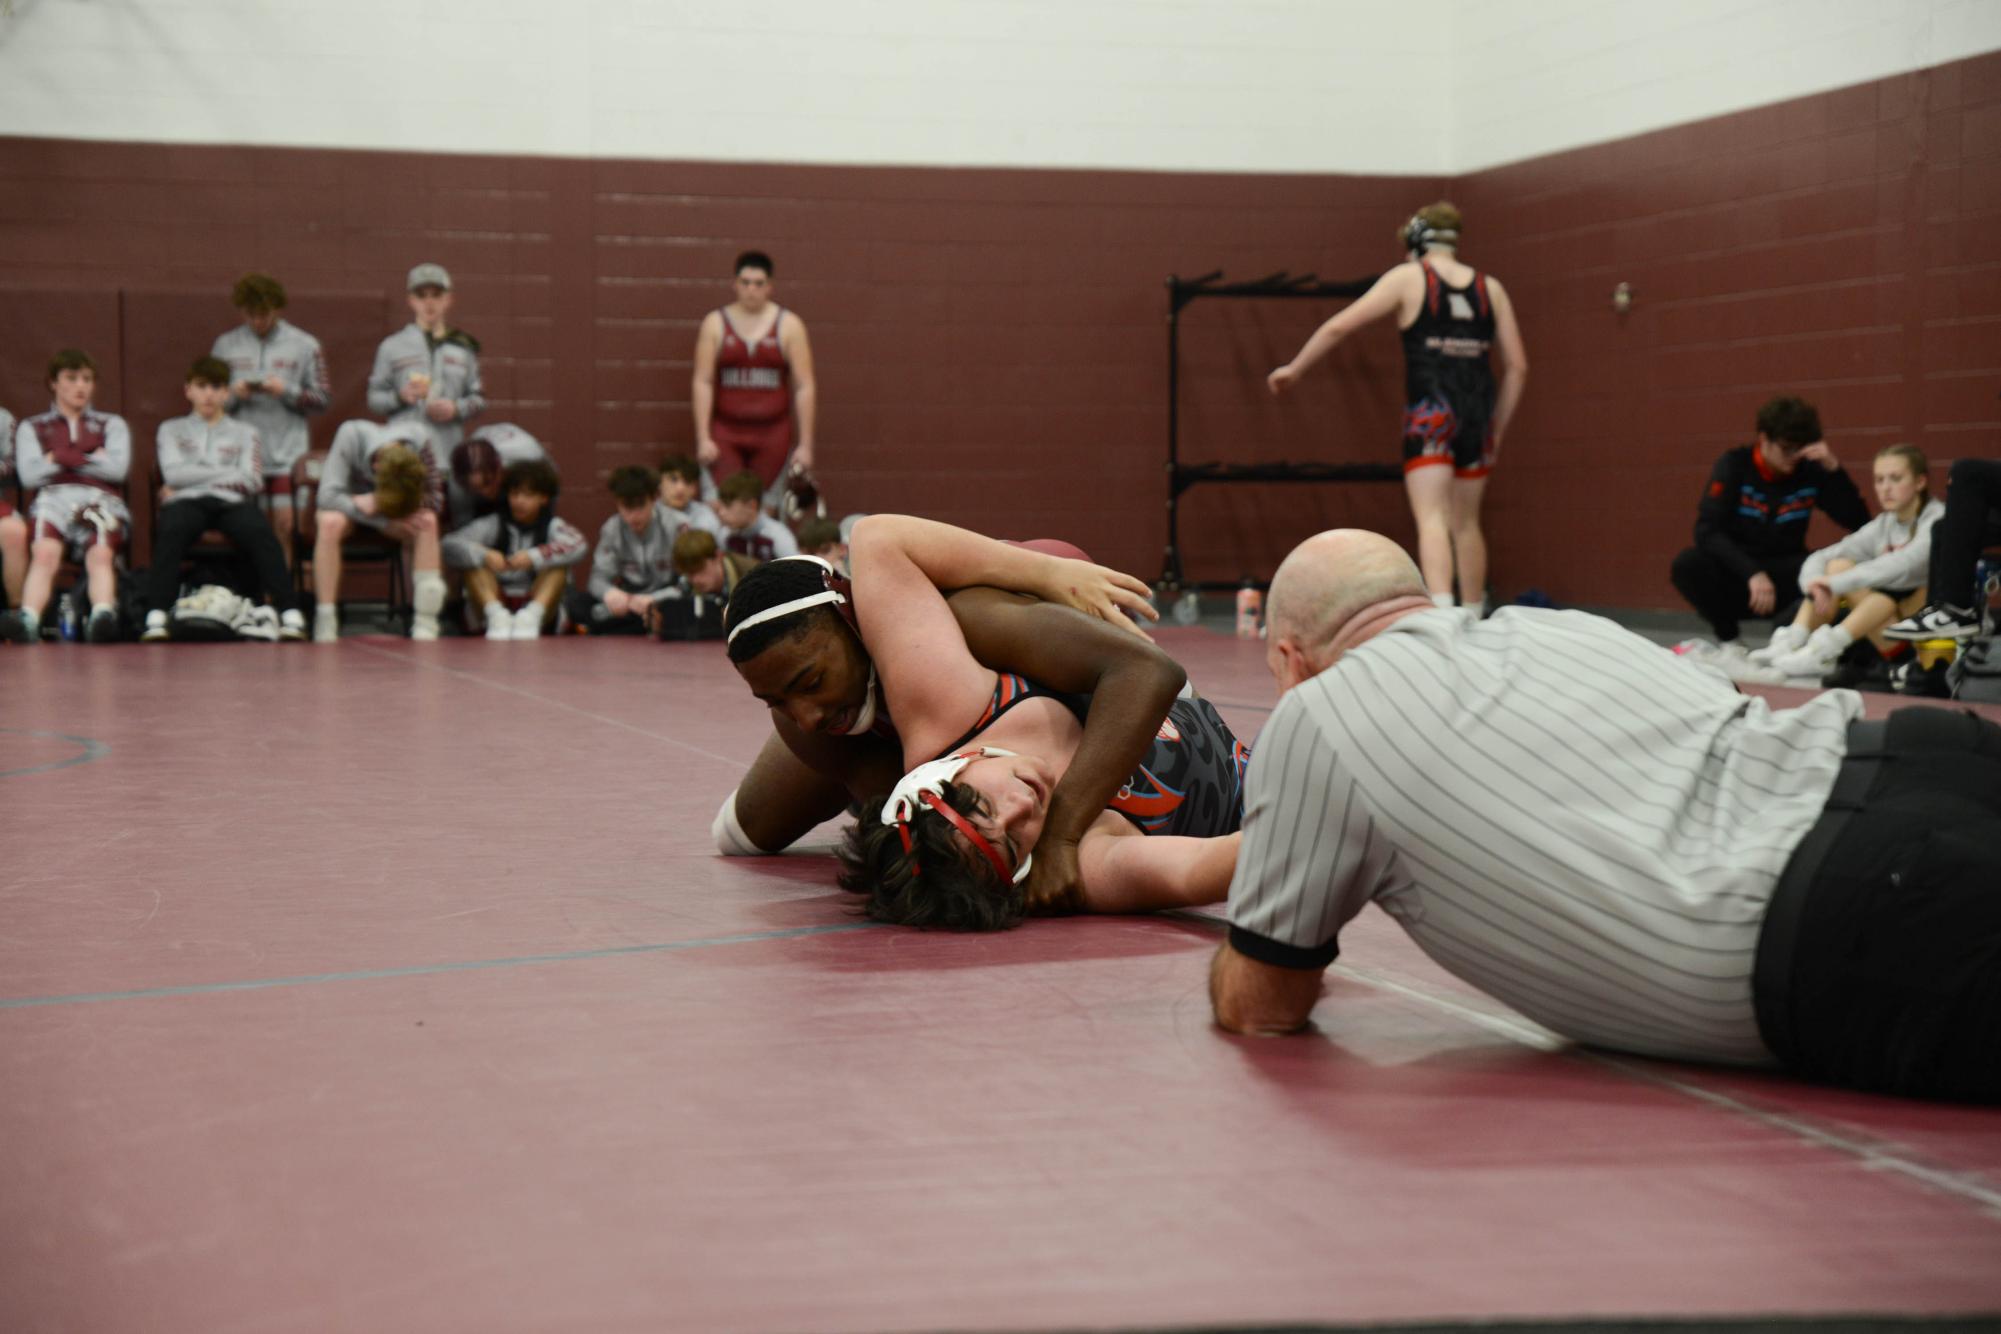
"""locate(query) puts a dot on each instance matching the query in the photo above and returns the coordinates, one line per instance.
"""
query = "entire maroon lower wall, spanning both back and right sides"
(991, 343)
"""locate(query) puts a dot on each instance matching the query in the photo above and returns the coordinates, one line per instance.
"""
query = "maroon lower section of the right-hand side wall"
(1840, 247)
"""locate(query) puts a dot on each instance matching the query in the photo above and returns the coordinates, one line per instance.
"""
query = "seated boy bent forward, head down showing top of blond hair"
(385, 479)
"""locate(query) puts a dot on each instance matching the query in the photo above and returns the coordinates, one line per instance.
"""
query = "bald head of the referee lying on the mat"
(1324, 591)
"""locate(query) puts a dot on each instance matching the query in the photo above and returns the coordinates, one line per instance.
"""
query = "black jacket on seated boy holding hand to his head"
(1752, 515)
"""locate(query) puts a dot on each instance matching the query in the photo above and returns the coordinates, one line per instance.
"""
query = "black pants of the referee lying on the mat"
(1880, 961)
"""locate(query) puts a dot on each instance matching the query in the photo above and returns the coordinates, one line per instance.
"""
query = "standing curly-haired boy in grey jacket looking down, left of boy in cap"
(277, 381)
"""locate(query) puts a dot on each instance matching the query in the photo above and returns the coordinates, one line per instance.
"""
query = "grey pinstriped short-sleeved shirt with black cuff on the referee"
(1558, 811)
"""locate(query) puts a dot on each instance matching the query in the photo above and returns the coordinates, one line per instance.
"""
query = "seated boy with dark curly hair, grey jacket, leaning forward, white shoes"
(519, 559)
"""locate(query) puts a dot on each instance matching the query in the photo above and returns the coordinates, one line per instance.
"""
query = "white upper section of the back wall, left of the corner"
(1210, 85)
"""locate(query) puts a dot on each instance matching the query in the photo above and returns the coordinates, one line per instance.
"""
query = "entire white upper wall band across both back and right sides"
(1154, 85)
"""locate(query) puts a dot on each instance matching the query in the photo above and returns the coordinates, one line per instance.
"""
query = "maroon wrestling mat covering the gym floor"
(393, 987)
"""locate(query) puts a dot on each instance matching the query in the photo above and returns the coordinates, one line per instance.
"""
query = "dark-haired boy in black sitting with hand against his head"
(1752, 525)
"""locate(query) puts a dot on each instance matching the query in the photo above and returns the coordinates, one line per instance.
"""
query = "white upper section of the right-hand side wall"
(1540, 77)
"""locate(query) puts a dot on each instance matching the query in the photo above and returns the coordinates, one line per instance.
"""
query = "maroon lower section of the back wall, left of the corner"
(991, 345)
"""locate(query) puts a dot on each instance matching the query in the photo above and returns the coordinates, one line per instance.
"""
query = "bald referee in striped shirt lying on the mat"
(1636, 857)
